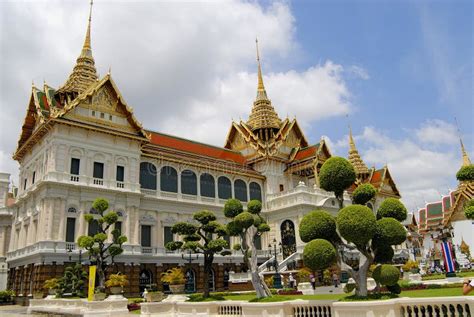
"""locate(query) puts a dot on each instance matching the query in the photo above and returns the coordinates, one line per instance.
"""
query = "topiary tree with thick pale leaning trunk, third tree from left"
(248, 225)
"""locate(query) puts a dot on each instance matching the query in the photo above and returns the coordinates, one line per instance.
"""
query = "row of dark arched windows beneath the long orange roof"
(189, 183)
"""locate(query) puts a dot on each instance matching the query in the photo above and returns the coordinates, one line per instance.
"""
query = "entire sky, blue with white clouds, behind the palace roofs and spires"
(400, 70)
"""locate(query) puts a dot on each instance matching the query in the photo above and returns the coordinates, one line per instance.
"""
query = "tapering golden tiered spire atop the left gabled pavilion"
(84, 72)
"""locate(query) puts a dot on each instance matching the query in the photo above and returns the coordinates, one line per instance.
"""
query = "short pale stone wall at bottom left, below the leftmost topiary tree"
(80, 307)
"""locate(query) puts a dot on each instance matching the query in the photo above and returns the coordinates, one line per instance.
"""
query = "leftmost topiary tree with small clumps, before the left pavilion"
(100, 250)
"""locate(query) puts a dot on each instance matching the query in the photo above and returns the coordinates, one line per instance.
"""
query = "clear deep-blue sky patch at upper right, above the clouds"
(418, 55)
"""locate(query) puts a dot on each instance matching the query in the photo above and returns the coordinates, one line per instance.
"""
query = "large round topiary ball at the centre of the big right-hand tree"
(356, 223)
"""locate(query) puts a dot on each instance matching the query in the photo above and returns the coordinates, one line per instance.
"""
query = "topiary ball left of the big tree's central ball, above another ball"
(318, 224)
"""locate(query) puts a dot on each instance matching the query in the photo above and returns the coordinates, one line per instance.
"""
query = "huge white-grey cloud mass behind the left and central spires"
(186, 68)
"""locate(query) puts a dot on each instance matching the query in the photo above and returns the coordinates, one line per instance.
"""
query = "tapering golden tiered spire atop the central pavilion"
(263, 115)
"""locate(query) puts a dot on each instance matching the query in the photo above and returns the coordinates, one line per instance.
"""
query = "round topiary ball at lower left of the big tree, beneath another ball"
(319, 254)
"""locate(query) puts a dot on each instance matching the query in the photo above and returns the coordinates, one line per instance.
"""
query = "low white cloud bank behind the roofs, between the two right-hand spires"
(422, 172)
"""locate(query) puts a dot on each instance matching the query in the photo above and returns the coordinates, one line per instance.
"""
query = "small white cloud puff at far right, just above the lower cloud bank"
(437, 132)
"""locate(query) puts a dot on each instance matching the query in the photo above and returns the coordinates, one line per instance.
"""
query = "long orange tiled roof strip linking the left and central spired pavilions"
(202, 149)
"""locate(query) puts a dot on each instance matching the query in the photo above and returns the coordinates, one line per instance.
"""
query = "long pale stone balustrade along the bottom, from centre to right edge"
(400, 307)
